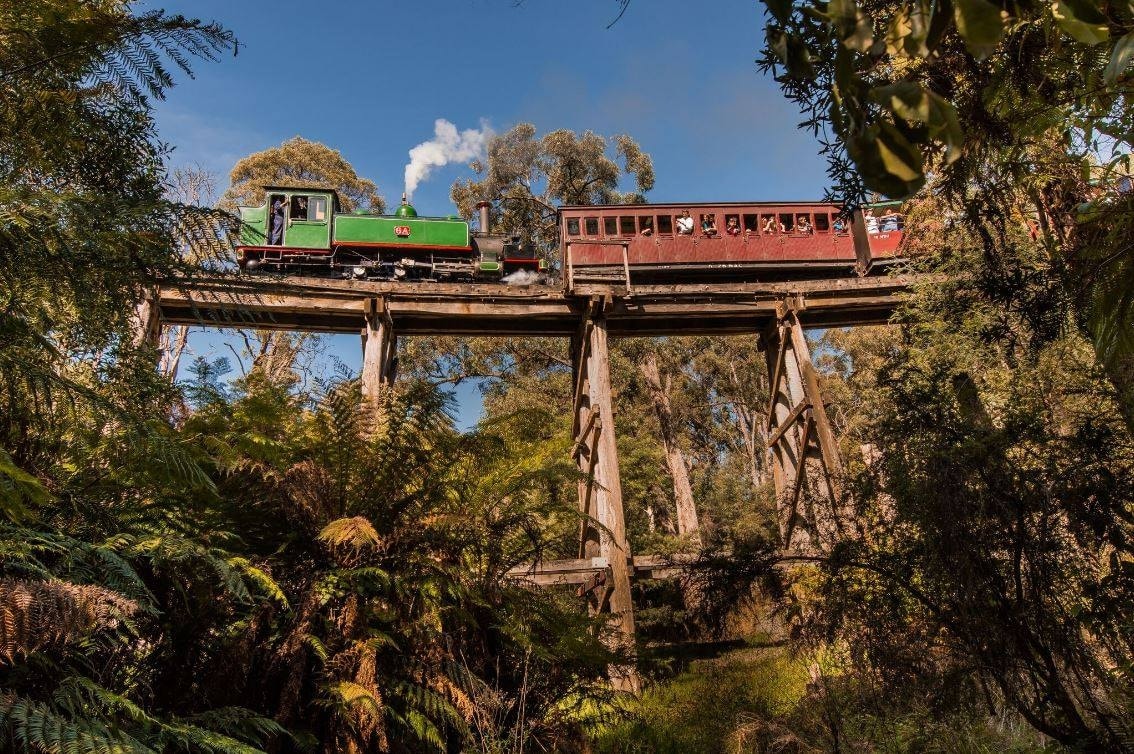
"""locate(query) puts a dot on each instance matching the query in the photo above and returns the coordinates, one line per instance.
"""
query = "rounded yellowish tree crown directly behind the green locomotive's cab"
(302, 164)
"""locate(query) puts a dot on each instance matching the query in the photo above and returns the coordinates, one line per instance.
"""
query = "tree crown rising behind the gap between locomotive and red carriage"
(527, 180)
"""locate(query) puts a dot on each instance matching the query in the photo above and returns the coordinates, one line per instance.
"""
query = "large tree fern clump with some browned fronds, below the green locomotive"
(396, 628)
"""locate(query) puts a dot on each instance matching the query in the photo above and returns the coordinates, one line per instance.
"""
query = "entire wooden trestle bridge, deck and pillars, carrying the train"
(807, 465)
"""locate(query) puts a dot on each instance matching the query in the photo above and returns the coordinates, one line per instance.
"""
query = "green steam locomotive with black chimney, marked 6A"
(304, 231)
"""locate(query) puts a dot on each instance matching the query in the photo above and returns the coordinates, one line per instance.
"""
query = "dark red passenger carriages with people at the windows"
(734, 241)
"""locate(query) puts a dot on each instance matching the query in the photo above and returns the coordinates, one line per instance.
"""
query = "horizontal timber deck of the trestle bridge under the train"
(324, 306)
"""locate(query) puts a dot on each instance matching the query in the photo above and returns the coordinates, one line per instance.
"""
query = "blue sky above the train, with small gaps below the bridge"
(370, 79)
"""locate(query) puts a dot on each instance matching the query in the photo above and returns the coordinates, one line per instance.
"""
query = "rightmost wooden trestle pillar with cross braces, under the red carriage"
(806, 460)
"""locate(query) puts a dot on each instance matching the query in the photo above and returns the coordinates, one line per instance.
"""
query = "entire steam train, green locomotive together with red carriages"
(303, 231)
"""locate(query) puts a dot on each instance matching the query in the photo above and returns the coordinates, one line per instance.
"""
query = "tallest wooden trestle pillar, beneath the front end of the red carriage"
(600, 492)
